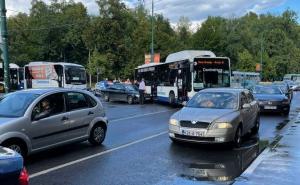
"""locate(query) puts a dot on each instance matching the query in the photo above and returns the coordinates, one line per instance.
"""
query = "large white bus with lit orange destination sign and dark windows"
(183, 74)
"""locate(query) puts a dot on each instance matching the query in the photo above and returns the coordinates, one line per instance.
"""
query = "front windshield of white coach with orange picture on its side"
(75, 75)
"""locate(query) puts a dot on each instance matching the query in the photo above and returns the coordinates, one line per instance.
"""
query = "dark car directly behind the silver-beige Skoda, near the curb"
(271, 99)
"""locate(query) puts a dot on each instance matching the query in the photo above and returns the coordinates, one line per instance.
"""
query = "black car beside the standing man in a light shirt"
(121, 92)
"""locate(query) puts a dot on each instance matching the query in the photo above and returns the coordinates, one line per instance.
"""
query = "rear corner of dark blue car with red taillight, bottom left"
(12, 171)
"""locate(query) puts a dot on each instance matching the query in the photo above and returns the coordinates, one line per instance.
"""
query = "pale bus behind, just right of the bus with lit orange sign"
(241, 79)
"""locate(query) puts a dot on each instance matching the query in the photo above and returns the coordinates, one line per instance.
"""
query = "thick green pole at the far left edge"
(4, 46)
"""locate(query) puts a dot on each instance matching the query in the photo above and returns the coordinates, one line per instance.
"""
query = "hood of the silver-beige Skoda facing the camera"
(202, 114)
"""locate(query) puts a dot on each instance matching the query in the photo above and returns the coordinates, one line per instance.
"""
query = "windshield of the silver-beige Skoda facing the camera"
(214, 100)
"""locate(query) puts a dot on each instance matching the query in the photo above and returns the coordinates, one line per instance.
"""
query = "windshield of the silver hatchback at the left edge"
(9, 107)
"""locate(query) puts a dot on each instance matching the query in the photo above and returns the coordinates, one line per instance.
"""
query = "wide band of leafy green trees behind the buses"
(118, 38)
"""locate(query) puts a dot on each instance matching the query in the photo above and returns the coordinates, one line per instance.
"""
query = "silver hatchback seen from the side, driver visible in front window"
(35, 120)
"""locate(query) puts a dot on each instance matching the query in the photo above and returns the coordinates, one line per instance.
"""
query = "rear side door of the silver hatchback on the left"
(80, 113)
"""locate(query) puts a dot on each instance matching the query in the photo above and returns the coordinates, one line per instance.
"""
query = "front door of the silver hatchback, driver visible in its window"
(51, 127)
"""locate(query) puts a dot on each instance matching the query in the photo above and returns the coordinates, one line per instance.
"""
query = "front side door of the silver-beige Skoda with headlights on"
(245, 112)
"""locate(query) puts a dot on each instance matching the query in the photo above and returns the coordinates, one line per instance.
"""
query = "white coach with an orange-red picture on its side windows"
(50, 74)
